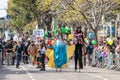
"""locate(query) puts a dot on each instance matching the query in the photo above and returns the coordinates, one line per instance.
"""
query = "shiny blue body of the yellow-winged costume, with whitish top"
(60, 55)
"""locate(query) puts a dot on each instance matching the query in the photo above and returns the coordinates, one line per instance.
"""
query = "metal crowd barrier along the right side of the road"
(111, 61)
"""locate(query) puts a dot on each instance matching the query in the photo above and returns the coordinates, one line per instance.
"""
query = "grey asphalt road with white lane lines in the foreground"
(29, 72)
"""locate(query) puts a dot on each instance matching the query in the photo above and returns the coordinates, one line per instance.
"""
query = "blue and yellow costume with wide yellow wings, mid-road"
(58, 57)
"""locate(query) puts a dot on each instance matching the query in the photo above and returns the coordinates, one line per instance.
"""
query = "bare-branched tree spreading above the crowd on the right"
(91, 10)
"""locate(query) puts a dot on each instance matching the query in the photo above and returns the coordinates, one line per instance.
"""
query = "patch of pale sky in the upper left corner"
(3, 6)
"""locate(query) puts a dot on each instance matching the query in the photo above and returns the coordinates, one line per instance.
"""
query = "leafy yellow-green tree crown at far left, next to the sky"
(19, 15)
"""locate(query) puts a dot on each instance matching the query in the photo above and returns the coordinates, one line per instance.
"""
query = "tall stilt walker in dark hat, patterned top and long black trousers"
(78, 47)
